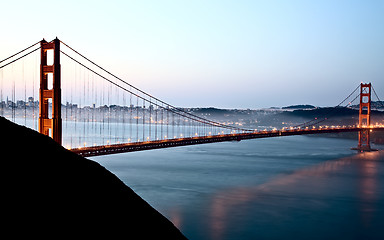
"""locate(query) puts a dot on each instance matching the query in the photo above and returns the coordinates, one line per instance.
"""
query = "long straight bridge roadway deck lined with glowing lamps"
(140, 146)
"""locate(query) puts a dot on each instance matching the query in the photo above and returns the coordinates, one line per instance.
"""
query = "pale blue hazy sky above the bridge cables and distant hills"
(231, 54)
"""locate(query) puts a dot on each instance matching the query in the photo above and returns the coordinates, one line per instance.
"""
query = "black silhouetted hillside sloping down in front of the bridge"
(50, 192)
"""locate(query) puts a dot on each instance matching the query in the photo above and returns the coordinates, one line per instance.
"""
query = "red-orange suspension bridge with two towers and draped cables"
(91, 111)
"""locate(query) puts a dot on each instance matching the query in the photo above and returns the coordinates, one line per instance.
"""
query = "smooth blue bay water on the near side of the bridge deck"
(295, 187)
